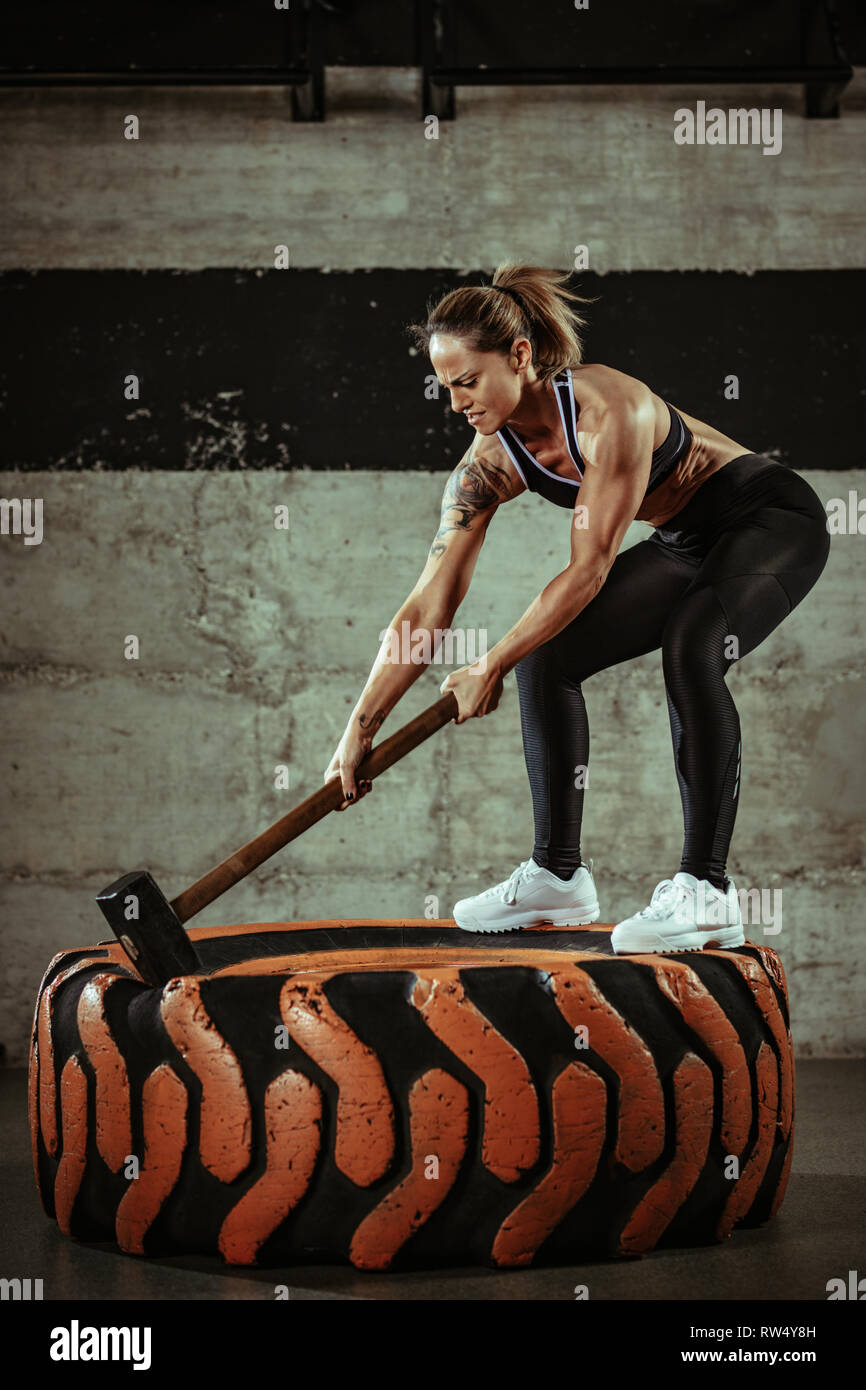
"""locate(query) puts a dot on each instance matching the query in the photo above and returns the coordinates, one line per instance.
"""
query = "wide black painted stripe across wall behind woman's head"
(313, 370)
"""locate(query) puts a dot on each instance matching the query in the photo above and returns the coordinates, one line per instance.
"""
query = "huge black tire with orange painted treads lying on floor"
(404, 1096)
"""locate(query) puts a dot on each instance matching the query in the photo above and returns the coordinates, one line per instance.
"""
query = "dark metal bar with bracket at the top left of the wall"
(302, 70)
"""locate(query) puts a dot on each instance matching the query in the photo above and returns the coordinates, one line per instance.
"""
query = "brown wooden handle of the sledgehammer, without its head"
(295, 822)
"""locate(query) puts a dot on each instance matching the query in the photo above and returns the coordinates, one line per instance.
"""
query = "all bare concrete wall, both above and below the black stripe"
(255, 644)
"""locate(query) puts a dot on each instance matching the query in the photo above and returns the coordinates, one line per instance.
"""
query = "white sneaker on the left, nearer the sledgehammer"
(529, 897)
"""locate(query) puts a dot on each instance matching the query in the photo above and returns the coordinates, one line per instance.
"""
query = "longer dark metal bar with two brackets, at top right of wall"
(824, 80)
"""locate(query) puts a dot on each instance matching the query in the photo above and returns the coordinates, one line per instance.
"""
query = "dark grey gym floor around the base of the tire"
(818, 1235)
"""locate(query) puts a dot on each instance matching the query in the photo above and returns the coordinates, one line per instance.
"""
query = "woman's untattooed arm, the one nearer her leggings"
(618, 462)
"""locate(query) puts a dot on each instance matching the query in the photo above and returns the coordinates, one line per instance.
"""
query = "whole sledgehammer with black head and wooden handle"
(151, 929)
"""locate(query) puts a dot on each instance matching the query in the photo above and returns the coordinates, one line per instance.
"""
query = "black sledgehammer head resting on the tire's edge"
(147, 926)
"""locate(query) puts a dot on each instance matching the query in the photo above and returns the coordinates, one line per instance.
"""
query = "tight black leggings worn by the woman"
(707, 587)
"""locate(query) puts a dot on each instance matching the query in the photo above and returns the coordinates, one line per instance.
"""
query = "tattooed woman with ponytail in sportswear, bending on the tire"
(739, 543)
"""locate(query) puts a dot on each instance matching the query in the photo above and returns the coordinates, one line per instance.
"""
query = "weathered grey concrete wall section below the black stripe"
(254, 650)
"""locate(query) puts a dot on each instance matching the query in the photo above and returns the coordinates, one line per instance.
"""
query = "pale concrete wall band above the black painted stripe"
(220, 177)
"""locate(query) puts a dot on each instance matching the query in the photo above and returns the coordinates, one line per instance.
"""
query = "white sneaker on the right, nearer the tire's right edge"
(686, 914)
